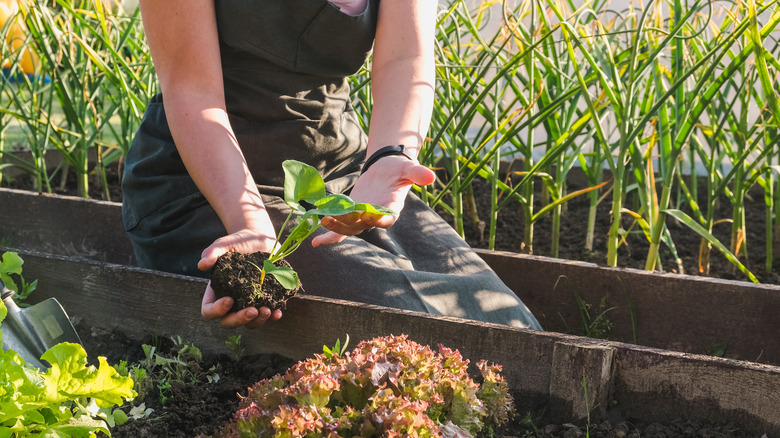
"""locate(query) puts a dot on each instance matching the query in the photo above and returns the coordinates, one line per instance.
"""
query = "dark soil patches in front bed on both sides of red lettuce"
(201, 407)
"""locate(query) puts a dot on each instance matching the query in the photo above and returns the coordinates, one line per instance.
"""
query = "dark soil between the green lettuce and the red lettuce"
(195, 404)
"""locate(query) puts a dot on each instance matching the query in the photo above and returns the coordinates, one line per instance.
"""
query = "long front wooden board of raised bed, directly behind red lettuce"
(640, 383)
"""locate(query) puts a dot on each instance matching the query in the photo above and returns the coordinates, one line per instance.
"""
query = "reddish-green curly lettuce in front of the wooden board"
(389, 386)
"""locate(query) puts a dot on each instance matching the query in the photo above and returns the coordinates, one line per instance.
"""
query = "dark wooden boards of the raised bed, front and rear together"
(78, 252)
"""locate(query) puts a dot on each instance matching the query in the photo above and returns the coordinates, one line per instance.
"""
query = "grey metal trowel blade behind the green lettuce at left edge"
(33, 330)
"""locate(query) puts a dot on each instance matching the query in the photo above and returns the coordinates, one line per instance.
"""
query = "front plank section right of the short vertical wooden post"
(660, 385)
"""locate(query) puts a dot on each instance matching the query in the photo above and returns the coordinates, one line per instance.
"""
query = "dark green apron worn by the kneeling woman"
(285, 64)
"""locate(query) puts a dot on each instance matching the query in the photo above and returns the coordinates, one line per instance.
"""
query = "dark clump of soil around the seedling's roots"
(239, 275)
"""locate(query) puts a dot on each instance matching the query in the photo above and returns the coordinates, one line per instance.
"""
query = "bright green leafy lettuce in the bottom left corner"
(70, 399)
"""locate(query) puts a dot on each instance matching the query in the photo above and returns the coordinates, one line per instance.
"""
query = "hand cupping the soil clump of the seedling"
(245, 241)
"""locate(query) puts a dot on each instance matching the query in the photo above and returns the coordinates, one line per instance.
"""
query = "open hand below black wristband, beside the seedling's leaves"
(385, 183)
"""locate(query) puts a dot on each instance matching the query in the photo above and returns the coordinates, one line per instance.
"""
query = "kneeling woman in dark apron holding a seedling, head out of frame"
(247, 84)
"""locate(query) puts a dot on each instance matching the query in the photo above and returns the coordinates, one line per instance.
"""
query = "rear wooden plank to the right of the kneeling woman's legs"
(669, 311)
